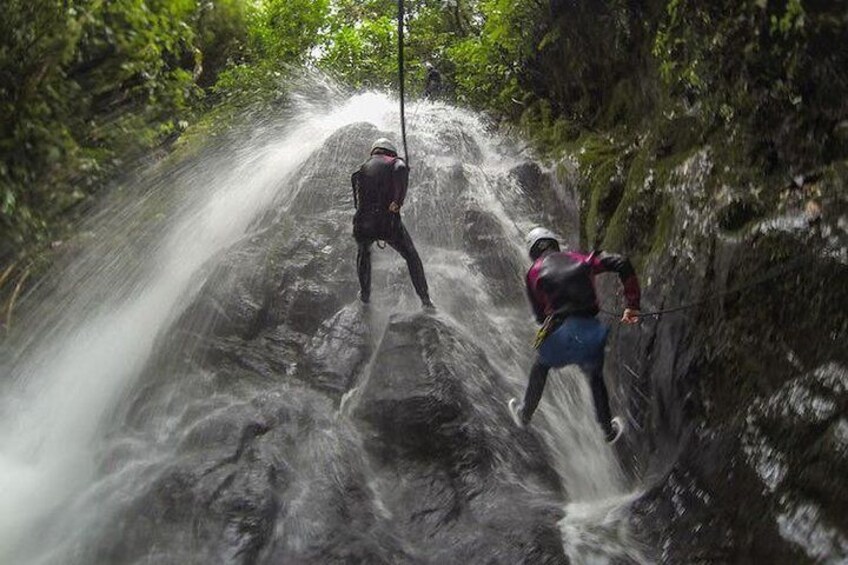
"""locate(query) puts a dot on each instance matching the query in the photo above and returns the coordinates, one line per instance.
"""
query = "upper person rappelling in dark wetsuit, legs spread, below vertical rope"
(379, 191)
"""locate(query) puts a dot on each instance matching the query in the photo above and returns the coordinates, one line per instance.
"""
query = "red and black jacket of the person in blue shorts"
(562, 284)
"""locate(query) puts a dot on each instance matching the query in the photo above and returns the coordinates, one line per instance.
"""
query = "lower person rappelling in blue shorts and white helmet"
(561, 289)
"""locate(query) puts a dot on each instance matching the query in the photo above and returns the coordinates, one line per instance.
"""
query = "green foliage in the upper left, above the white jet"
(87, 86)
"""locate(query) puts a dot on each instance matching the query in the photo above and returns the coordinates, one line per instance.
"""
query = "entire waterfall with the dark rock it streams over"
(199, 383)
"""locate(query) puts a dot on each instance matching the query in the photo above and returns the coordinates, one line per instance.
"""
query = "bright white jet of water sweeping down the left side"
(65, 386)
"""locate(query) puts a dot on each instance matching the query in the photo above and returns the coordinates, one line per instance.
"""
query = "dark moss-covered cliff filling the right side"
(708, 142)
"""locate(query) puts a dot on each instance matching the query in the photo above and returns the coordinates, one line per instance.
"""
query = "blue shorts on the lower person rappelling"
(578, 341)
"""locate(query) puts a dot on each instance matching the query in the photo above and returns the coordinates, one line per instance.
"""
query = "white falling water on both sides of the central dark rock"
(84, 350)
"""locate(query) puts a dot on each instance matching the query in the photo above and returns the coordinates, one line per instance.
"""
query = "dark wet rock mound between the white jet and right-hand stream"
(284, 422)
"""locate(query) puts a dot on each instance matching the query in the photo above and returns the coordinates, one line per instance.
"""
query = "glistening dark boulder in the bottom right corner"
(796, 441)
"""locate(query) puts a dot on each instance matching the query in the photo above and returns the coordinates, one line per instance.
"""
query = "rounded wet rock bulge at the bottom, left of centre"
(276, 480)
